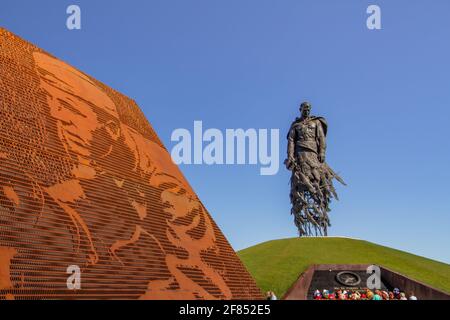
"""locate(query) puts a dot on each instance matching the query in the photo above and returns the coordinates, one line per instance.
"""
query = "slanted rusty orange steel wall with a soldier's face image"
(85, 181)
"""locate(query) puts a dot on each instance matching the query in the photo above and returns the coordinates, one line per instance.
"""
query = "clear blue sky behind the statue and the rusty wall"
(247, 64)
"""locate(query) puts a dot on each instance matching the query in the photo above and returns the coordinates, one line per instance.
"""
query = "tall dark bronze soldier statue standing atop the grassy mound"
(312, 179)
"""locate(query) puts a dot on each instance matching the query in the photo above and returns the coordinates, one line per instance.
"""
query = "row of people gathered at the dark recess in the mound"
(366, 294)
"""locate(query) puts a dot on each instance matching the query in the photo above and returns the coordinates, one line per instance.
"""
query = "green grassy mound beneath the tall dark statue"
(276, 264)
